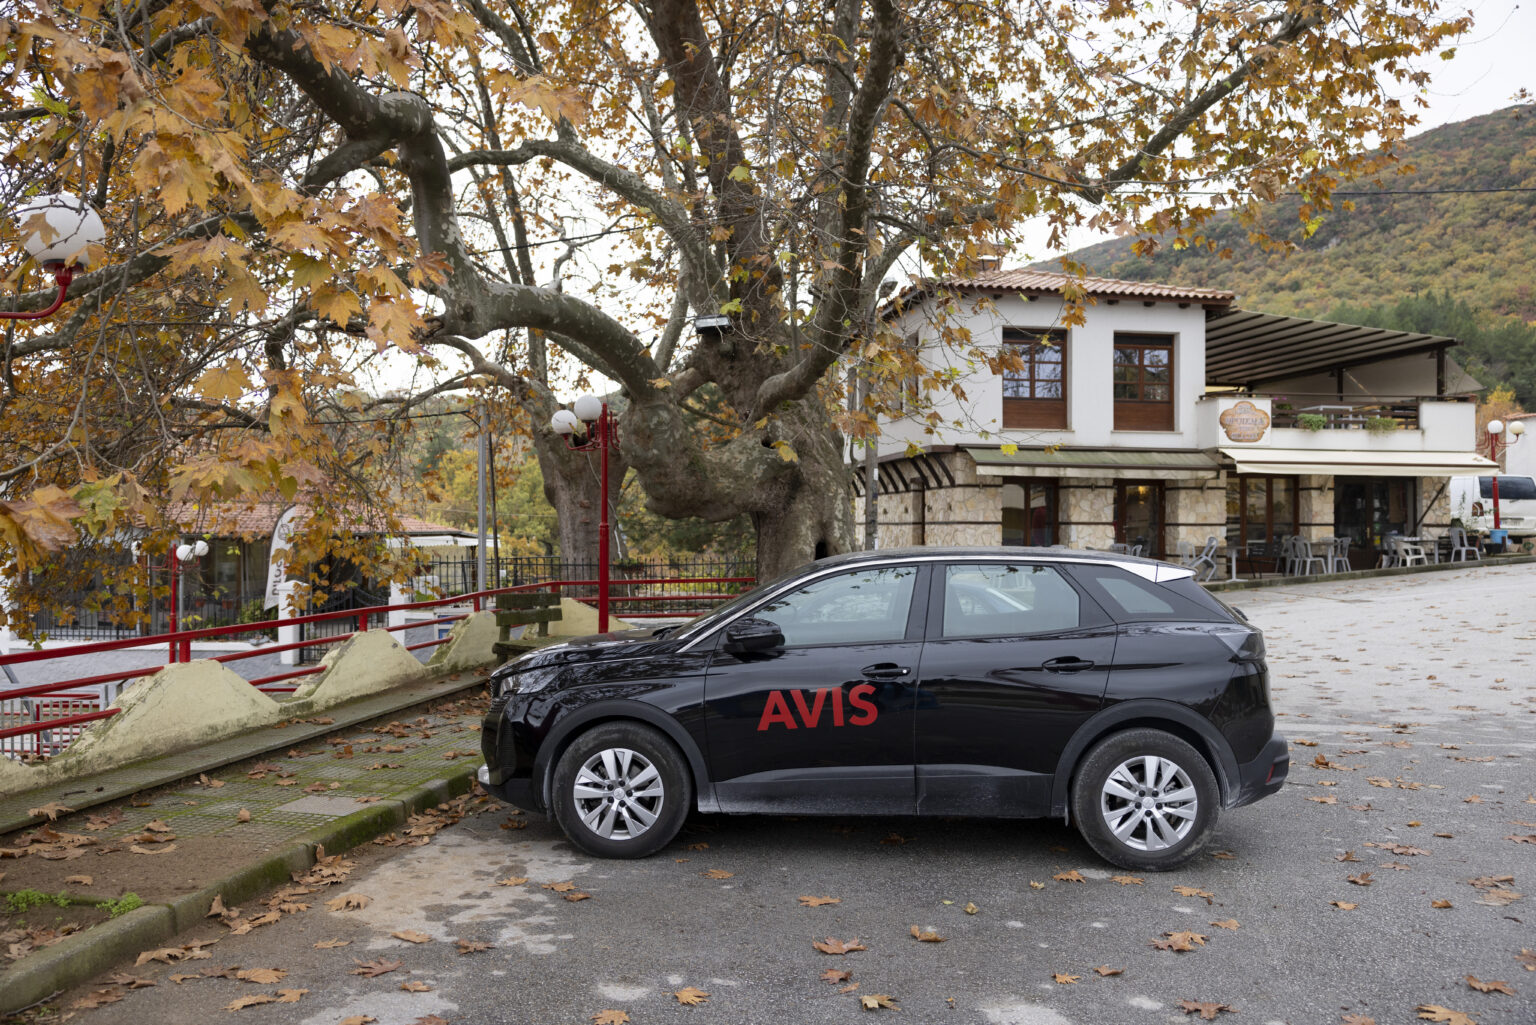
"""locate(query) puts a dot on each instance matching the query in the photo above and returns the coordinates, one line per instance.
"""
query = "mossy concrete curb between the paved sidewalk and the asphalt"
(81, 958)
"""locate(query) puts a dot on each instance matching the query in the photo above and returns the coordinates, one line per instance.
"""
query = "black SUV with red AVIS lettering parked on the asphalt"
(1010, 683)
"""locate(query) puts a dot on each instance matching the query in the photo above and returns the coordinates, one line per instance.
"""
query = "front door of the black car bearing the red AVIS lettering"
(823, 723)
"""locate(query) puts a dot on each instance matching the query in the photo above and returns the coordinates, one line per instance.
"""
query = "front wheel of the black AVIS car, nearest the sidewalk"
(621, 791)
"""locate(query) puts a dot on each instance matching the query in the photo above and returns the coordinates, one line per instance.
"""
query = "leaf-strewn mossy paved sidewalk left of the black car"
(247, 815)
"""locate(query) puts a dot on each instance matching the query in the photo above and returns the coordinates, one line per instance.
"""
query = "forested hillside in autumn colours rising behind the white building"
(1469, 259)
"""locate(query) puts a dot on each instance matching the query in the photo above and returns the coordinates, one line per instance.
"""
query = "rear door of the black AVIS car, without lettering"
(1018, 658)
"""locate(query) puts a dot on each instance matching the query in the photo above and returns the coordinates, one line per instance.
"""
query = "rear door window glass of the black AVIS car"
(998, 600)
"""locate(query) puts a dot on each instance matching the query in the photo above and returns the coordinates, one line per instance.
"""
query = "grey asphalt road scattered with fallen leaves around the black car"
(1417, 692)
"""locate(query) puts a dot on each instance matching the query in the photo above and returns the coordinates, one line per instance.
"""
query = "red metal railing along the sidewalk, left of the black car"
(50, 717)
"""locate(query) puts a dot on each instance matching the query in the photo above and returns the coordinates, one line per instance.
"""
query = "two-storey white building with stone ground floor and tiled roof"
(1167, 416)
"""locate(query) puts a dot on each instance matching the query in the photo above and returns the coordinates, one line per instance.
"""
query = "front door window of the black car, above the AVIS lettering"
(862, 606)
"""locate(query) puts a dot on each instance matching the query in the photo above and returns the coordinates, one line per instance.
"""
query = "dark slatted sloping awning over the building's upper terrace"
(1246, 350)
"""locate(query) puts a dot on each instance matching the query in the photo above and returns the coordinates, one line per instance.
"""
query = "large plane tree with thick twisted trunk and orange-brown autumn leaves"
(294, 188)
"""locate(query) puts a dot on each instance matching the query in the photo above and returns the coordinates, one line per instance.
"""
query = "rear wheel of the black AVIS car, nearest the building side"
(1145, 800)
